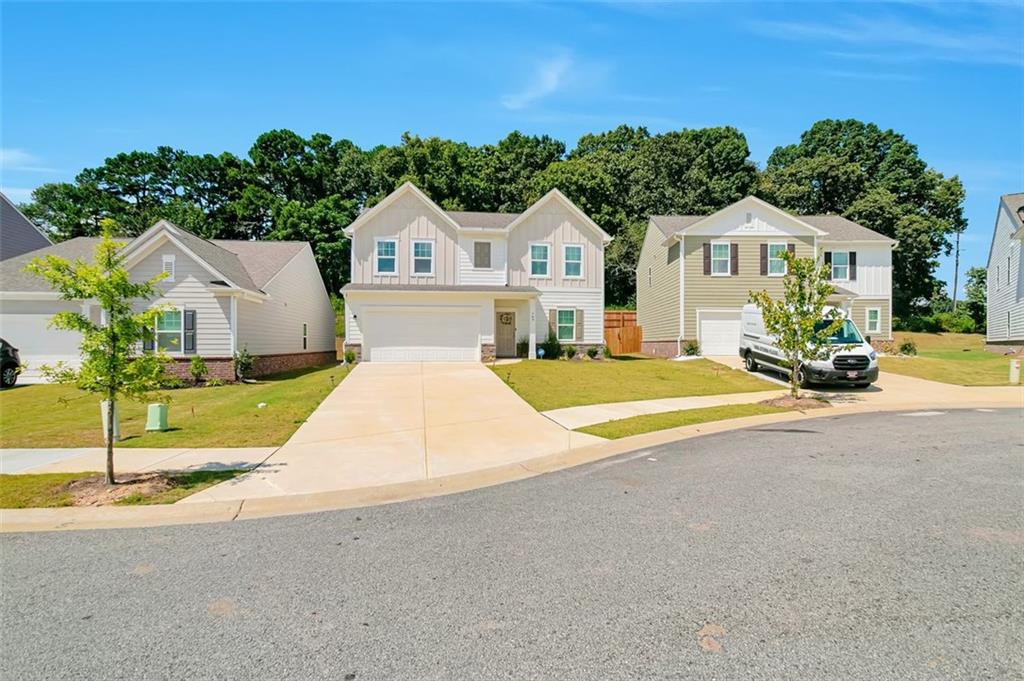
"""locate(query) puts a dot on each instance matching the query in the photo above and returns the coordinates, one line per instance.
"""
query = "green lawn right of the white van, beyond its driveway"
(958, 359)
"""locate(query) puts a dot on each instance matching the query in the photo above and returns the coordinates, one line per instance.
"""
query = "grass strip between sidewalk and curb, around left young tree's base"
(51, 490)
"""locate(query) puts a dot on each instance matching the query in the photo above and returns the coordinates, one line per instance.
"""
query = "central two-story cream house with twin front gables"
(430, 285)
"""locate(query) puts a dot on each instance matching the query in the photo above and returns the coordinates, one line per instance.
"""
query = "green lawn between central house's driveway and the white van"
(548, 385)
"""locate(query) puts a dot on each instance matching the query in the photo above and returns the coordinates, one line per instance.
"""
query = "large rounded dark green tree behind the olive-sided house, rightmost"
(877, 179)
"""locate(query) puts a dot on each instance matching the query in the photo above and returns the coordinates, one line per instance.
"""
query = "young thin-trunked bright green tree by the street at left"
(112, 365)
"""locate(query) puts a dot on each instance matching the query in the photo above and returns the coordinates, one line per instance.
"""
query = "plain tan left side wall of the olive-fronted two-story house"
(658, 296)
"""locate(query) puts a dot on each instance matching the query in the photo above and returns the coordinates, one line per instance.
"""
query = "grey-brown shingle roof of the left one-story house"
(248, 266)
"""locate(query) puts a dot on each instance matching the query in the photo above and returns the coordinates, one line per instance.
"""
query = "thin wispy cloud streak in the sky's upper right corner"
(921, 39)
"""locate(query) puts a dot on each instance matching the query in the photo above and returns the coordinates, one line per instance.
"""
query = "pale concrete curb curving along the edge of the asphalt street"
(110, 518)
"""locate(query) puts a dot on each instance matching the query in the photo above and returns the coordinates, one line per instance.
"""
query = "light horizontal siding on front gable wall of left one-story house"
(189, 290)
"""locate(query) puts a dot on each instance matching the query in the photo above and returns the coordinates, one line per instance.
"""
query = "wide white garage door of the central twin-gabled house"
(422, 334)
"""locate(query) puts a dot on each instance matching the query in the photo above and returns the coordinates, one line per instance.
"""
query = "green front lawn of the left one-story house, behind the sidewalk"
(57, 416)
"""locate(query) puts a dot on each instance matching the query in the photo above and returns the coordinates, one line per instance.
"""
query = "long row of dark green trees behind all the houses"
(294, 188)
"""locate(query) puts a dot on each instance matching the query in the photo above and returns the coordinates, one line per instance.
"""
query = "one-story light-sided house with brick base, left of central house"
(264, 296)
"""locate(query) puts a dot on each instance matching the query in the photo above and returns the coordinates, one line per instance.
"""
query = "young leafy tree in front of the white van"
(796, 320)
